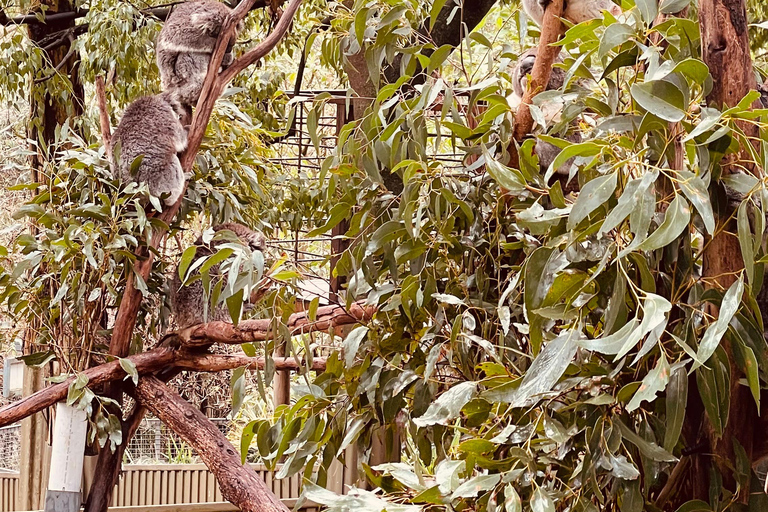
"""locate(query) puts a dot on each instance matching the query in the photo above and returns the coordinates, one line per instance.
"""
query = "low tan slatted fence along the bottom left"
(184, 488)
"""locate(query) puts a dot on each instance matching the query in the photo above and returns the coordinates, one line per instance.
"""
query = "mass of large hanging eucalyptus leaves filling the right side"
(531, 350)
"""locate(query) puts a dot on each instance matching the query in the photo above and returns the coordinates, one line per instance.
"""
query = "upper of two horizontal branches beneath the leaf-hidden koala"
(261, 330)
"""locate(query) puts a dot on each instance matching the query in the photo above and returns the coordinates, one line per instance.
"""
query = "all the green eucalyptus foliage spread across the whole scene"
(544, 339)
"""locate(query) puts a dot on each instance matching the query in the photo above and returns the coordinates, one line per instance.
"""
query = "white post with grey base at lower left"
(65, 481)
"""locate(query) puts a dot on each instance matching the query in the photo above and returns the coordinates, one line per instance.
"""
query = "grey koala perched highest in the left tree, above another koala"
(185, 45)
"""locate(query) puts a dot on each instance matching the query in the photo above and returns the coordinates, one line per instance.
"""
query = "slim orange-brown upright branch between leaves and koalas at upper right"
(551, 31)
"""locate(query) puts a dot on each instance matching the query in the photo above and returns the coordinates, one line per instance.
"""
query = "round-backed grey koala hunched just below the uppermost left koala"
(151, 128)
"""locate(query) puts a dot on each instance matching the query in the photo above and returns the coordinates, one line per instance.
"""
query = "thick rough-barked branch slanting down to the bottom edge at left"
(239, 484)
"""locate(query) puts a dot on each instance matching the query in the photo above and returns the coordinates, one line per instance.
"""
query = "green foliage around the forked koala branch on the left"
(62, 277)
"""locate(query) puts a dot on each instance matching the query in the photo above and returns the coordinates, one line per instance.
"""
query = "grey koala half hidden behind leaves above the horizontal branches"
(188, 302)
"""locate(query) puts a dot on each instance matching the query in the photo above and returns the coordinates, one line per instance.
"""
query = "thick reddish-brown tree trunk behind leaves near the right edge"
(725, 49)
